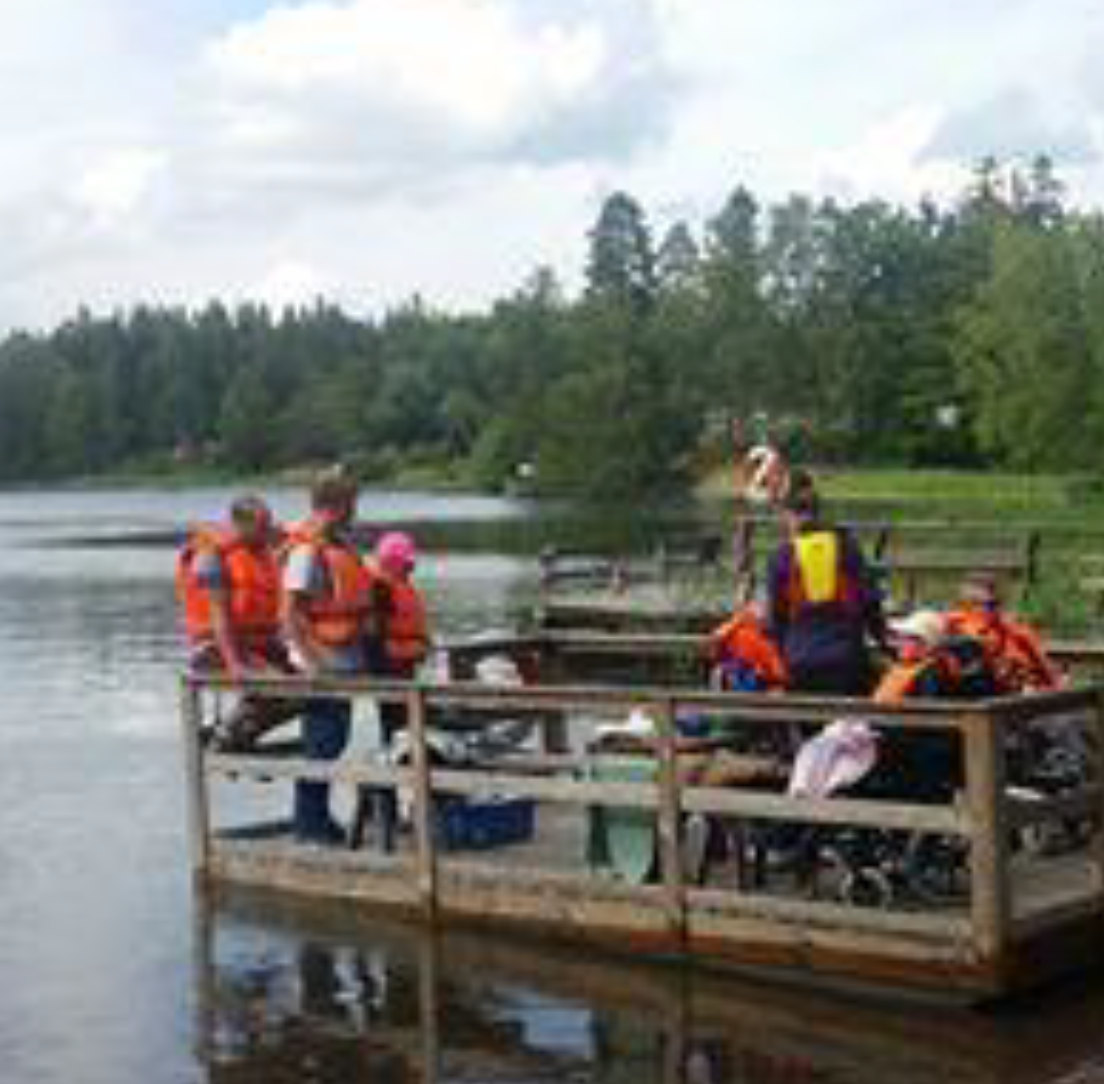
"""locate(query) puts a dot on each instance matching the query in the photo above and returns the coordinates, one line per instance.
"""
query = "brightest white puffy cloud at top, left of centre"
(468, 61)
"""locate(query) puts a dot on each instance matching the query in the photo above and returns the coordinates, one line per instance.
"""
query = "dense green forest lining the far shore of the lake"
(968, 335)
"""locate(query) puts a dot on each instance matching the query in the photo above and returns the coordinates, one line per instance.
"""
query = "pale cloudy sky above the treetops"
(363, 152)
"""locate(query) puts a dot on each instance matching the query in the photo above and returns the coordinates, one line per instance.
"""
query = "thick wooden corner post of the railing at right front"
(984, 754)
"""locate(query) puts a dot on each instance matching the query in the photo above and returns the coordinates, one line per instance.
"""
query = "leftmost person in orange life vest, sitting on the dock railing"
(228, 581)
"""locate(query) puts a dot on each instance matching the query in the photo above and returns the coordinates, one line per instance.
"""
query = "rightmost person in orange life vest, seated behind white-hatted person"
(1013, 649)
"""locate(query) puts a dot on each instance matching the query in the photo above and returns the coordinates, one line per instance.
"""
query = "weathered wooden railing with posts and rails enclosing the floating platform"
(970, 944)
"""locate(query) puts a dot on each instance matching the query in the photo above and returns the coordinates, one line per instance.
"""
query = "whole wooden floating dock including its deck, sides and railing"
(1021, 919)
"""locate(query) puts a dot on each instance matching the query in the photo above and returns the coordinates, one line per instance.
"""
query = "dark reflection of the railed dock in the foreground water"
(292, 993)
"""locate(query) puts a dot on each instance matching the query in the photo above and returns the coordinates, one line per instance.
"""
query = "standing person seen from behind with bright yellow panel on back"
(823, 602)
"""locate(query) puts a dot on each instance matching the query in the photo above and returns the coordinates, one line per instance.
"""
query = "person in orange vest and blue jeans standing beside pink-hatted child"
(326, 599)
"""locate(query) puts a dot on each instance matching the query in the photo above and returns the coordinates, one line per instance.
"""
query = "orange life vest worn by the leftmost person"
(251, 582)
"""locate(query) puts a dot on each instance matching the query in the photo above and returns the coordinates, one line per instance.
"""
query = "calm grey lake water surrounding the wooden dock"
(111, 971)
